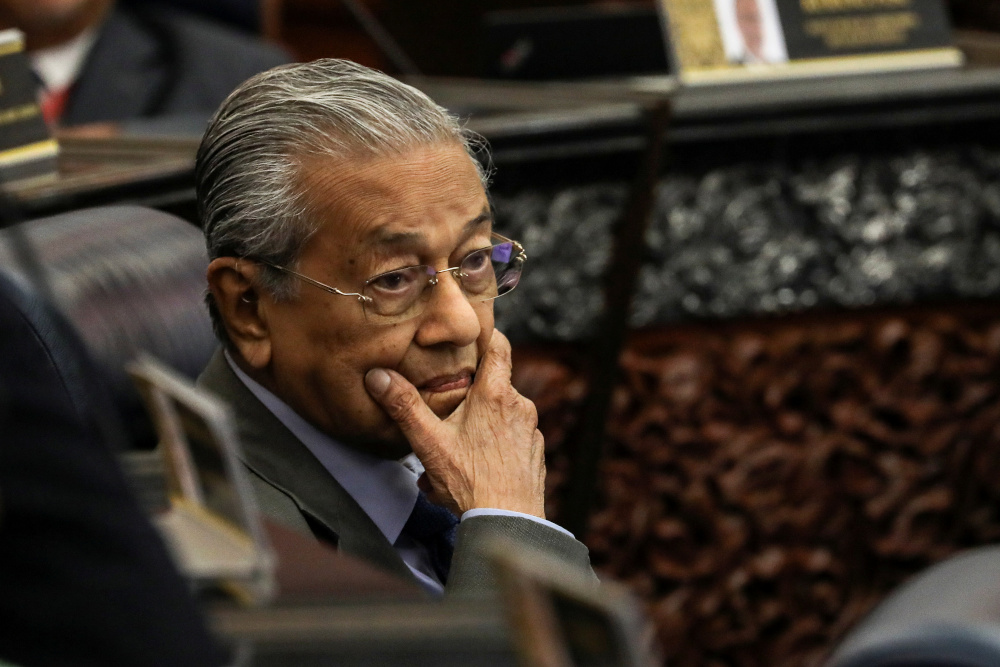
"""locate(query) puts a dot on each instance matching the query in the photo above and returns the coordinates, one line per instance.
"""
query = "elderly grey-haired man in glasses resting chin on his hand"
(353, 268)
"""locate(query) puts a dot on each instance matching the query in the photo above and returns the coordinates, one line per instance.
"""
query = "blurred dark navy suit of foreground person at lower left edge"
(84, 578)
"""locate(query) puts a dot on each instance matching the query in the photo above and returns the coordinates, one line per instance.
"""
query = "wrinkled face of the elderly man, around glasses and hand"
(424, 207)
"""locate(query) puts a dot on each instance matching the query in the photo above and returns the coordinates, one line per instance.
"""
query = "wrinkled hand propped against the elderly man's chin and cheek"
(488, 452)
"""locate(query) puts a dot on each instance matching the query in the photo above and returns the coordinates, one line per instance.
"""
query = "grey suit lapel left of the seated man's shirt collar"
(275, 455)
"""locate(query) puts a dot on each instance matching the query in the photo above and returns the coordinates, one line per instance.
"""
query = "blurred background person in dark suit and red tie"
(98, 61)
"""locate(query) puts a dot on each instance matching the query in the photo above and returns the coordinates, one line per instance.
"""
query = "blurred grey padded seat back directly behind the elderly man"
(127, 279)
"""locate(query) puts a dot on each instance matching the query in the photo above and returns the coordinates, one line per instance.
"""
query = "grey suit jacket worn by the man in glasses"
(293, 488)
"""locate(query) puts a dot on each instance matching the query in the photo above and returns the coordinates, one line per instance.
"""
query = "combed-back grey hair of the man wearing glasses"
(251, 200)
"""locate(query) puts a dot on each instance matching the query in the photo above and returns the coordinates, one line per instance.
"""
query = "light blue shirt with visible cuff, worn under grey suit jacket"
(385, 490)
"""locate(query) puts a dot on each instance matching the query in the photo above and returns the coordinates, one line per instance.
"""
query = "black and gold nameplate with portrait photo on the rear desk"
(725, 40)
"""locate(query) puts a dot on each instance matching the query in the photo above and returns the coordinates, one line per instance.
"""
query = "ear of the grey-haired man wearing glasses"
(231, 282)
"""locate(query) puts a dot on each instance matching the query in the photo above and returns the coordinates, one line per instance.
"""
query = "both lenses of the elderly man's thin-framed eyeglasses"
(484, 274)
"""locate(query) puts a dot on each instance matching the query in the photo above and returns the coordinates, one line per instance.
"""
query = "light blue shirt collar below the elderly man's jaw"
(385, 490)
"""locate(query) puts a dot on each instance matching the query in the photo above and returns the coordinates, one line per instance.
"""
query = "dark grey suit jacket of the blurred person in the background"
(153, 61)
